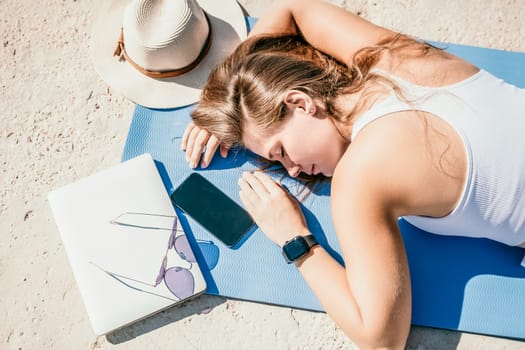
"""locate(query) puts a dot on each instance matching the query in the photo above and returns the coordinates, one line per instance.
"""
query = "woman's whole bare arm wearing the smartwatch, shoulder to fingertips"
(383, 175)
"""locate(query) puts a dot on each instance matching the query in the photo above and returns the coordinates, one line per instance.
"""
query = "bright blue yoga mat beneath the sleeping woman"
(465, 284)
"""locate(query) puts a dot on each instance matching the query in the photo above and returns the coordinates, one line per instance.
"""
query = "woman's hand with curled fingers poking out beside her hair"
(197, 143)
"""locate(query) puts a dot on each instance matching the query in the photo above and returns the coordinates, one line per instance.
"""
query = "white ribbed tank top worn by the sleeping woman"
(489, 116)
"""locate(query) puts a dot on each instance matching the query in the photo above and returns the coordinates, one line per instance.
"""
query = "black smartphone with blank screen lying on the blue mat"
(212, 209)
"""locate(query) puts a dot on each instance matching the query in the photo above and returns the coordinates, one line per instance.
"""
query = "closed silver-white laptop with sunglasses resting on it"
(129, 254)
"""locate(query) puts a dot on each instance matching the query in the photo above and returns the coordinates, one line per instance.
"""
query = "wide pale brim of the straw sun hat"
(228, 26)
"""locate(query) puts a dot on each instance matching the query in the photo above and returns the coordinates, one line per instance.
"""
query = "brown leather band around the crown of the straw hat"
(120, 51)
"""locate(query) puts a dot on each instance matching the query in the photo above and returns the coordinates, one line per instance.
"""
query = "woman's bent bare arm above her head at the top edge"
(329, 28)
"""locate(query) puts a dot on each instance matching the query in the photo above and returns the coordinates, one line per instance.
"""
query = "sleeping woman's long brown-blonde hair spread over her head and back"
(251, 82)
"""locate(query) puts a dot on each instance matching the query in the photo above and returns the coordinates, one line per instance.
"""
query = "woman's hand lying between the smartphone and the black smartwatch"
(274, 210)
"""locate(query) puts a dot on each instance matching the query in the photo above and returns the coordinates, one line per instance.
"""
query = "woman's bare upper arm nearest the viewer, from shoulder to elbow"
(398, 165)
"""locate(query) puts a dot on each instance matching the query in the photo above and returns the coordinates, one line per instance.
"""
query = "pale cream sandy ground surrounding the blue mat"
(62, 123)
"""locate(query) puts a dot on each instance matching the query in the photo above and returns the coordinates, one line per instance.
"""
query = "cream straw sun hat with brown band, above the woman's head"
(158, 53)
